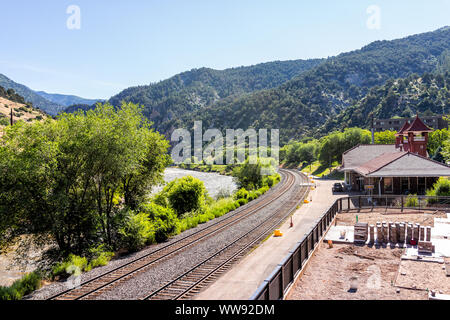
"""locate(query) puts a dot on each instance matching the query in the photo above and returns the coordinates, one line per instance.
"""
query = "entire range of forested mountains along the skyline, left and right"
(302, 98)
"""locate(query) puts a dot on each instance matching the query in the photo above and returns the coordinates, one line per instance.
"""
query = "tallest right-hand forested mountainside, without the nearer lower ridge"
(300, 106)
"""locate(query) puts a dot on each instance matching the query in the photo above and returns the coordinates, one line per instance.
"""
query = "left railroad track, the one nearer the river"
(98, 285)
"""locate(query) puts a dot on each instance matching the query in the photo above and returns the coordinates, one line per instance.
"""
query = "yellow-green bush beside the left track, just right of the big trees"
(164, 220)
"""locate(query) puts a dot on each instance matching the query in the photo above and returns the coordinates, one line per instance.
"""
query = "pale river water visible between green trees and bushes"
(214, 182)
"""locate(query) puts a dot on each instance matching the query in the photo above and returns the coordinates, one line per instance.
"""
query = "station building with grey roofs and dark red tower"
(400, 168)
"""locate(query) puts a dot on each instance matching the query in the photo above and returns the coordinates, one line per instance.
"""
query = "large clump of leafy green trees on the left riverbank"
(77, 174)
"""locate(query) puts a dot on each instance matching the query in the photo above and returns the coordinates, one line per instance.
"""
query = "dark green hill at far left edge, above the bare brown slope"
(31, 96)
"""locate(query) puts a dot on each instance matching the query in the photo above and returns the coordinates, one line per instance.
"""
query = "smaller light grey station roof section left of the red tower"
(363, 153)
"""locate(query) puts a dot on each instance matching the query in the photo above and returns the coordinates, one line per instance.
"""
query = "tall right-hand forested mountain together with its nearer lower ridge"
(340, 92)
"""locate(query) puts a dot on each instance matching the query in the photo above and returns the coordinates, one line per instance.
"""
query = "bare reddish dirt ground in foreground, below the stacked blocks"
(327, 276)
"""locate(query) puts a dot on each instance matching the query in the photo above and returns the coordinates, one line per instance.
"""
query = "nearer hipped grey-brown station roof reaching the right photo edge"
(406, 164)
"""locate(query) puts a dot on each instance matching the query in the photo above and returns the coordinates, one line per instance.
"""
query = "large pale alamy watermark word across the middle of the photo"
(210, 147)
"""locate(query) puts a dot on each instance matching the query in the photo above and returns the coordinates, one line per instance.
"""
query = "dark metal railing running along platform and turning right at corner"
(275, 286)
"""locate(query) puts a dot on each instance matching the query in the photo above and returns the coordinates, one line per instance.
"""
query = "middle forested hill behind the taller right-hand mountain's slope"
(201, 88)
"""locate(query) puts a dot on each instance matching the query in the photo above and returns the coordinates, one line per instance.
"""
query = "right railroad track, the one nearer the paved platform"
(191, 282)
